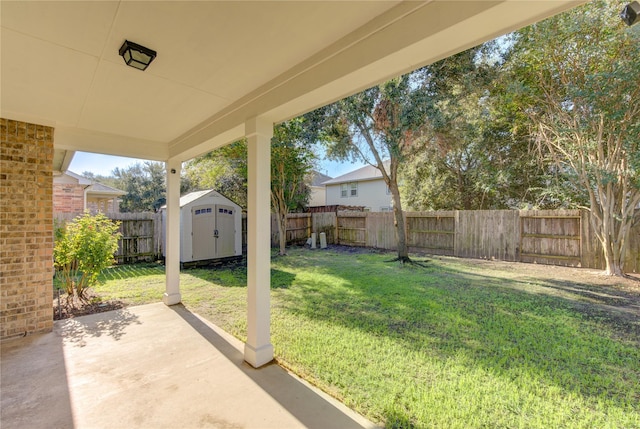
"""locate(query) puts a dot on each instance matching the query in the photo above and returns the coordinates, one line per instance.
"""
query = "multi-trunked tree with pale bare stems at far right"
(582, 97)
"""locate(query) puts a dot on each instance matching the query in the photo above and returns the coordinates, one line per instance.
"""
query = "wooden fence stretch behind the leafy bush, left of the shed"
(141, 235)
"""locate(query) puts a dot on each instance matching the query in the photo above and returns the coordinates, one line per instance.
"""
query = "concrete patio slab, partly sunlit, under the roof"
(152, 366)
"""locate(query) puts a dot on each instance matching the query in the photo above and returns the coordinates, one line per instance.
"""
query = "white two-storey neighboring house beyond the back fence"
(362, 187)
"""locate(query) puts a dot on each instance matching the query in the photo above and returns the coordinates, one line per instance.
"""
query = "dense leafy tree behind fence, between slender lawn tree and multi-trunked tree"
(470, 158)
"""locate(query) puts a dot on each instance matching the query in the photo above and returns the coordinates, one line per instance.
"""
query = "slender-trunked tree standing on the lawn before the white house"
(379, 126)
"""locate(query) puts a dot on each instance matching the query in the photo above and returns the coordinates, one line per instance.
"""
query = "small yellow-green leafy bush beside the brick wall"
(83, 250)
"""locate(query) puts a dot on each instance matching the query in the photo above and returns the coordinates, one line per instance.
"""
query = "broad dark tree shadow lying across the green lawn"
(509, 327)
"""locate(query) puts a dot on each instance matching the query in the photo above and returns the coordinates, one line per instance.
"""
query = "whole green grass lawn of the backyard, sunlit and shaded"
(459, 344)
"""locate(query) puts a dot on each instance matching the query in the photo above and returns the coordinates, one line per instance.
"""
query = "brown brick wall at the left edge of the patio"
(26, 228)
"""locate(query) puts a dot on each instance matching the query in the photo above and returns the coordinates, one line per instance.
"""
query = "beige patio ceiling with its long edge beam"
(219, 63)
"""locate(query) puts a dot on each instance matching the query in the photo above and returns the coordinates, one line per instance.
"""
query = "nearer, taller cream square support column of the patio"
(258, 349)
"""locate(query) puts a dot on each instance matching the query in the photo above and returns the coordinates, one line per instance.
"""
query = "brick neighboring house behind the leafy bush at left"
(73, 193)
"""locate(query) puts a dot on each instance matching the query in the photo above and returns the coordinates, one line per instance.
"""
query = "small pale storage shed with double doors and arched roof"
(210, 227)
